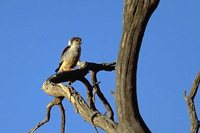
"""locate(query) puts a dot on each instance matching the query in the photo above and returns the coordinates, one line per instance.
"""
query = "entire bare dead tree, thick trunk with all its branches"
(135, 19)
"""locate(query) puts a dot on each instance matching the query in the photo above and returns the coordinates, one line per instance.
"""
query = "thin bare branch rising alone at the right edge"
(191, 105)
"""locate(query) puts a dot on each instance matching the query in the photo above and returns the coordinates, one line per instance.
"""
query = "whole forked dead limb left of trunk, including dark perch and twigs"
(88, 111)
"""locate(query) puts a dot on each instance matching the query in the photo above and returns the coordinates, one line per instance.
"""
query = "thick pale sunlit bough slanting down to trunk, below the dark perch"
(92, 116)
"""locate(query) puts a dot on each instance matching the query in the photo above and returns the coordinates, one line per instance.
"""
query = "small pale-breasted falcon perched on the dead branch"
(70, 55)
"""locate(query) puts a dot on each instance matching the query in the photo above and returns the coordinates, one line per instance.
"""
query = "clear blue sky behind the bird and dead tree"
(33, 34)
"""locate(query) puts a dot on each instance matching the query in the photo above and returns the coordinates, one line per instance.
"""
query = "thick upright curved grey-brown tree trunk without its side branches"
(136, 16)
